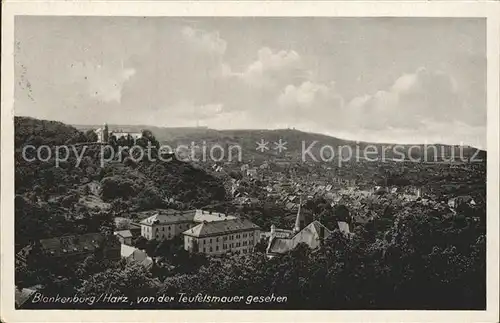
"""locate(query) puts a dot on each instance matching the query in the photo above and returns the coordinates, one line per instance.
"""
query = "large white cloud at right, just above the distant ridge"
(412, 100)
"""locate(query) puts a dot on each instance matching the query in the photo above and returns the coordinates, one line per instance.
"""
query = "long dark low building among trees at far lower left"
(72, 247)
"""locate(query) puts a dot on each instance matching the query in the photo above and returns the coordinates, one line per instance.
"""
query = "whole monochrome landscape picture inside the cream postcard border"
(247, 163)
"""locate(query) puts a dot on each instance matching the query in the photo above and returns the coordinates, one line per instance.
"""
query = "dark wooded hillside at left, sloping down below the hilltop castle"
(65, 199)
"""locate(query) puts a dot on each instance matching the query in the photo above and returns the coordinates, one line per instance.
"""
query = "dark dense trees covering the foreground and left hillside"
(410, 255)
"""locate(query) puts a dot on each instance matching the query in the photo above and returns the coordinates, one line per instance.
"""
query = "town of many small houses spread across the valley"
(270, 207)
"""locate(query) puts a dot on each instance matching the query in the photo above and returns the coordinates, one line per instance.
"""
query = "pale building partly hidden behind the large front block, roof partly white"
(168, 223)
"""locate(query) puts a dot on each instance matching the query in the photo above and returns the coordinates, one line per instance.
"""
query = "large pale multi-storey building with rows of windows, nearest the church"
(219, 237)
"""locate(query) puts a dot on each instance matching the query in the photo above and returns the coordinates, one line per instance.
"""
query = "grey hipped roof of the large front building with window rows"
(220, 227)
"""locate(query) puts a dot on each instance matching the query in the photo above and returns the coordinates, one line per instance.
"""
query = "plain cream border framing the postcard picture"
(488, 10)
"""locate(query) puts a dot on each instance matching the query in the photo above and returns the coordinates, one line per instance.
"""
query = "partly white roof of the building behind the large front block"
(167, 216)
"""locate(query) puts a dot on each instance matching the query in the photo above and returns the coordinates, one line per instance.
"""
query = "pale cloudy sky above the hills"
(402, 80)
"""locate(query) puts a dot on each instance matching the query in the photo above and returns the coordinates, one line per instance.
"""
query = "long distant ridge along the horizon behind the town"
(297, 142)
